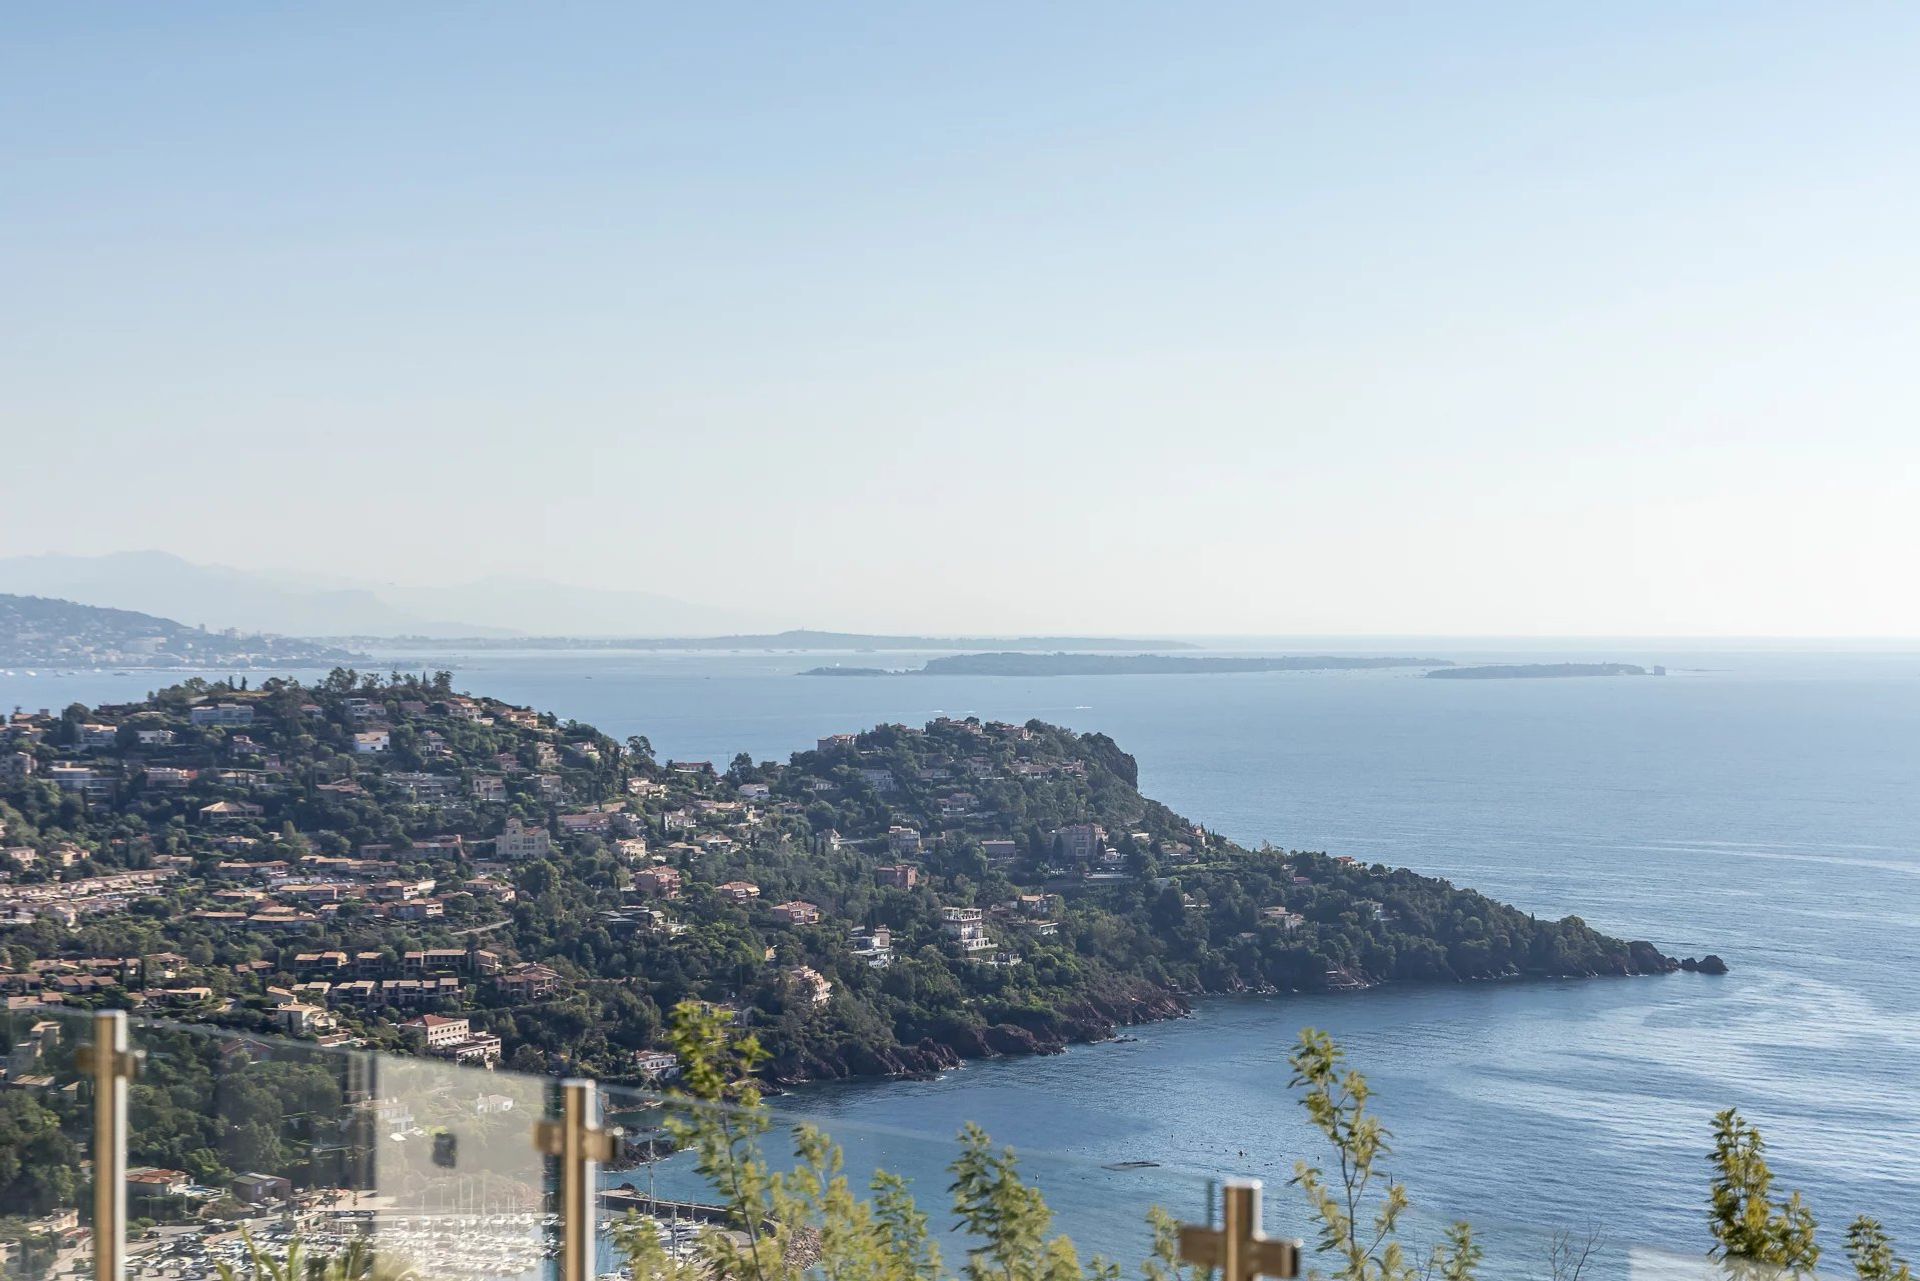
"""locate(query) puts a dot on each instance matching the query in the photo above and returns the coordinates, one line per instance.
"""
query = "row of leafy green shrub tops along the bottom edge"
(811, 1221)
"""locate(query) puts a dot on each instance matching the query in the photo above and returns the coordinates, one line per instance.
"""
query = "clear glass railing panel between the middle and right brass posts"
(815, 1188)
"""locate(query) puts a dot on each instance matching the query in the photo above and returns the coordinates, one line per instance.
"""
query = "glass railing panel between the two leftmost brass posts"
(266, 1153)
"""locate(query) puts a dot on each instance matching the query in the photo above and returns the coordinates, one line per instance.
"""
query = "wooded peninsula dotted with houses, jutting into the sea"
(339, 861)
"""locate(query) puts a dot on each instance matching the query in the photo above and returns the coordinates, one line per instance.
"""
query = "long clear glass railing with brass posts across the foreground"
(272, 1159)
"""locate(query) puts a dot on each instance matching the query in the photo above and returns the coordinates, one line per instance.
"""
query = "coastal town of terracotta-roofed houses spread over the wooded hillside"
(239, 879)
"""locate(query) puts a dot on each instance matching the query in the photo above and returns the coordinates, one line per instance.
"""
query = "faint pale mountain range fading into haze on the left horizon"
(293, 604)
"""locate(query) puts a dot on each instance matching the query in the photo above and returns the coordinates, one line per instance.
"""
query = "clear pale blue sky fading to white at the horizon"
(1497, 320)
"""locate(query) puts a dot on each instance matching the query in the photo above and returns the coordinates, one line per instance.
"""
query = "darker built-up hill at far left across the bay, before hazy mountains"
(45, 633)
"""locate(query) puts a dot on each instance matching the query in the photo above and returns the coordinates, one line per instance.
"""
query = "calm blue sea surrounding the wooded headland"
(1760, 806)
